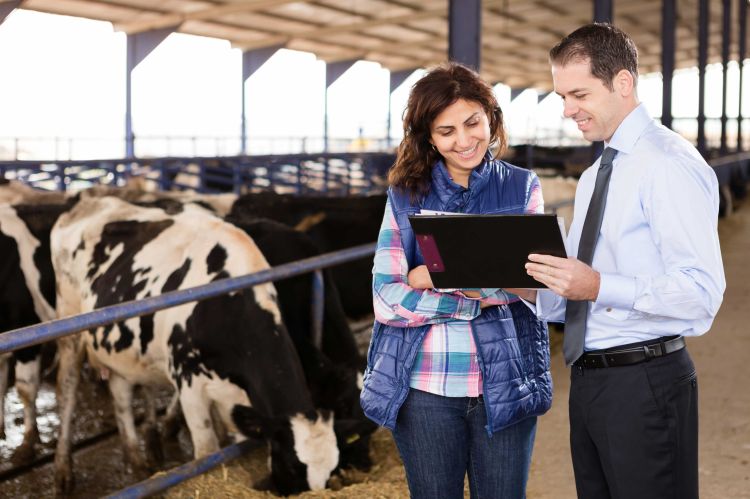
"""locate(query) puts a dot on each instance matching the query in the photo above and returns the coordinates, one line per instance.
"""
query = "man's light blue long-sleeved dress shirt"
(658, 252)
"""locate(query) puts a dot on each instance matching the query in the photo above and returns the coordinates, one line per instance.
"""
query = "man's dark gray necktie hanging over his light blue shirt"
(576, 312)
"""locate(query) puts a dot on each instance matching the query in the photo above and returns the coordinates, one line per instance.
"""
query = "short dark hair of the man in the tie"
(609, 50)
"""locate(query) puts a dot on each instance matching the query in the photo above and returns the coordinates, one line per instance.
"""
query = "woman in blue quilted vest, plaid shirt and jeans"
(458, 376)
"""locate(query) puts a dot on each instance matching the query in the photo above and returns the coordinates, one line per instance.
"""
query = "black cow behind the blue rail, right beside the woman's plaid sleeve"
(334, 224)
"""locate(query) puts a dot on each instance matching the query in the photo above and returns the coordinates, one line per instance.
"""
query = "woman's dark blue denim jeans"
(441, 439)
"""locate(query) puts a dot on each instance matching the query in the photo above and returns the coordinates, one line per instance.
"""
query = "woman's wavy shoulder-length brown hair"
(435, 91)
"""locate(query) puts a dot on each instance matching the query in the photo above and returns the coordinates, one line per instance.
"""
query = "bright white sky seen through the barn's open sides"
(70, 83)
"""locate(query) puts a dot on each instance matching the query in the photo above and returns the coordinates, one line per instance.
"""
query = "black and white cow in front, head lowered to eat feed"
(229, 352)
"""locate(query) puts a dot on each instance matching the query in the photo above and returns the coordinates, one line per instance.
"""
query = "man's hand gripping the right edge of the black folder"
(568, 277)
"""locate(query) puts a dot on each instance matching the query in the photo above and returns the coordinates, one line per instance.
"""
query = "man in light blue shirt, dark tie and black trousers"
(648, 272)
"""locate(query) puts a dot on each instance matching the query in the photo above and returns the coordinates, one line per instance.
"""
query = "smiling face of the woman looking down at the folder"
(461, 134)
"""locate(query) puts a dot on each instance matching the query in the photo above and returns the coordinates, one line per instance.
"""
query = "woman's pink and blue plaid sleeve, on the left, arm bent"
(398, 304)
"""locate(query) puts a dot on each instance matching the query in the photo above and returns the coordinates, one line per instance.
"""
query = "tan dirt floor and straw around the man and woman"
(722, 359)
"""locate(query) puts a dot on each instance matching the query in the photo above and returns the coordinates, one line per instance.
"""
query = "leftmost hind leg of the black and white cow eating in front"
(68, 376)
